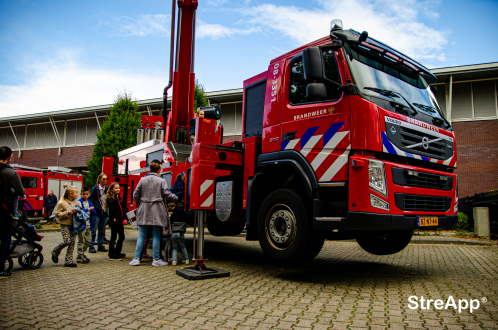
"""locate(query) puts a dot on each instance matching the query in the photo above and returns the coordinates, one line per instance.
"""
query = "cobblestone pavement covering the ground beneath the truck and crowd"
(343, 288)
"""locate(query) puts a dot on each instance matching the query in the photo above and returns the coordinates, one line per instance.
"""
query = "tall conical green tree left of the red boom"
(118, 132)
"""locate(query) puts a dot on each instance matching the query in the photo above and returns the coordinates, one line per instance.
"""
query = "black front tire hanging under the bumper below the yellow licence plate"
(386, 243)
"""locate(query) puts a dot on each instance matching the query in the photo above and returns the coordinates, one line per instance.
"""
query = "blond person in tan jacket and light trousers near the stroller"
(64, 211)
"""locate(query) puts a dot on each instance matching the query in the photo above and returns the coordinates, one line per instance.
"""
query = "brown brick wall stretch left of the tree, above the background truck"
(69, 157)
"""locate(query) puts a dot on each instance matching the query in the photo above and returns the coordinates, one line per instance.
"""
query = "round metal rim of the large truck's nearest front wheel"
(280, 226)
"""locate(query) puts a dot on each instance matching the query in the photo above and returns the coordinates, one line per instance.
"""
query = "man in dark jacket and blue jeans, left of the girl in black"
(97, 197)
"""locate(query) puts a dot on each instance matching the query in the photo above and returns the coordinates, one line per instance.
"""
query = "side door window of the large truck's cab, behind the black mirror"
(297, 92)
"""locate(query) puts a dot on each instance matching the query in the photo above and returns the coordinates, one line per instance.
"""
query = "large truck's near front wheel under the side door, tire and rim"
(285, 229)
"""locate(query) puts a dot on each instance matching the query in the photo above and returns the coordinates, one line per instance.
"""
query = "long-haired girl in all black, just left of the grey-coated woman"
(116, 218)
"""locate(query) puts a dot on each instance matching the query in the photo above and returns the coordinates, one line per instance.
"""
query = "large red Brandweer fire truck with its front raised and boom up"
(342, 139)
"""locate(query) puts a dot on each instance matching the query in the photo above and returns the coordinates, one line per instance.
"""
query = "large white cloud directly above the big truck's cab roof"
(395, 23)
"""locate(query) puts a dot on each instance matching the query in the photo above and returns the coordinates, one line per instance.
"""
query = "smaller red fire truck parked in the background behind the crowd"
(37, 183)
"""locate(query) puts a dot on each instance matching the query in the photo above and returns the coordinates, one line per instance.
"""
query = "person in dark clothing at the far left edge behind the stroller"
(9, 179)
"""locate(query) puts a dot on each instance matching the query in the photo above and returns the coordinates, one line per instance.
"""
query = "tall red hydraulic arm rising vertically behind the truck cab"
(182, 103)
